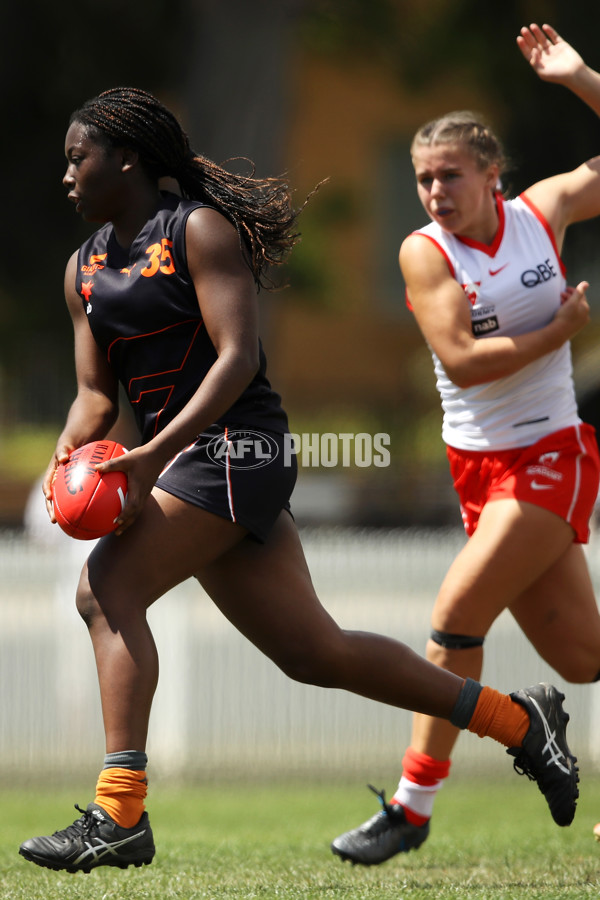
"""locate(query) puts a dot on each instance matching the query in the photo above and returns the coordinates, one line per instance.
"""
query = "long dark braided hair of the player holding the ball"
(259, 208)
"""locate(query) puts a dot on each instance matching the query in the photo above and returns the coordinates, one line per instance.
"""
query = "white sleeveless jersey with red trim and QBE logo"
(513, 286)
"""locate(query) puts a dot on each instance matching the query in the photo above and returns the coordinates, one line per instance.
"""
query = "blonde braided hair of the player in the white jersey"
(468, 130)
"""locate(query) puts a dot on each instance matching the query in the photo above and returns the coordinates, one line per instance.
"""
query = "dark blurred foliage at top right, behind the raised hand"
(544, 129)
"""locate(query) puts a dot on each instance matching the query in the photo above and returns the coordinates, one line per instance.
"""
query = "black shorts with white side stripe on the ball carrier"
(243, 475)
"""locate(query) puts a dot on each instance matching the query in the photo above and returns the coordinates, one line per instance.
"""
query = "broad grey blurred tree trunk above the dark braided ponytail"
(237, 88)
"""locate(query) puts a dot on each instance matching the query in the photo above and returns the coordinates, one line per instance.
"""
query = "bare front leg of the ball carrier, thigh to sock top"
(122, 578)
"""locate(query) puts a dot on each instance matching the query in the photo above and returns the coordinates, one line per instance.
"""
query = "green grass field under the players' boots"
(272, 842)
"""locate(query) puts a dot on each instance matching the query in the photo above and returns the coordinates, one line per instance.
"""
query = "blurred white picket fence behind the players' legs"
(220, 706)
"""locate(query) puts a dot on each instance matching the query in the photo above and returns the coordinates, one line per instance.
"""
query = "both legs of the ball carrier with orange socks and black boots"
(266, 592)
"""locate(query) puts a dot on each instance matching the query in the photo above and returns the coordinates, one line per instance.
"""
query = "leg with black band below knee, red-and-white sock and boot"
(497, 563)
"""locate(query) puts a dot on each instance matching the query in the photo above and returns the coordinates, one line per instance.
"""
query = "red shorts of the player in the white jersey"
(560, 472)
